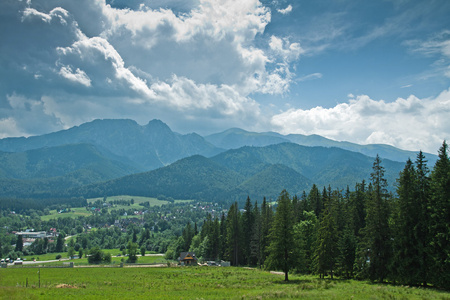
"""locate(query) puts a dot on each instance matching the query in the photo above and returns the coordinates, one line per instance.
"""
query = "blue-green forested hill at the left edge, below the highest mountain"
(47, 171)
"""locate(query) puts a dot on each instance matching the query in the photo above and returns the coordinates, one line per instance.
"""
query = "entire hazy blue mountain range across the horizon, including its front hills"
(114, 157)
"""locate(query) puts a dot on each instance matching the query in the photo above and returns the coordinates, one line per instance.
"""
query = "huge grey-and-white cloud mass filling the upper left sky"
(139, 61)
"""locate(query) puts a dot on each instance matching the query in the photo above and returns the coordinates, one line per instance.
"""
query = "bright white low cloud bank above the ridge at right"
(404, 123)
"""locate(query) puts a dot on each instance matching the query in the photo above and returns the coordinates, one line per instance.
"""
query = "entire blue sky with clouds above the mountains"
(360, 71)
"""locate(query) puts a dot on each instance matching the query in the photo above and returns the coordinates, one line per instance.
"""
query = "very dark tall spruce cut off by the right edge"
(440, 218)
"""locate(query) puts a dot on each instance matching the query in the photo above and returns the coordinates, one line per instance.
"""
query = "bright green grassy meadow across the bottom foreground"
(190, 283)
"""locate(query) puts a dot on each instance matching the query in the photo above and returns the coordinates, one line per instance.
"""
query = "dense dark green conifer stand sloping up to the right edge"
(367, 233)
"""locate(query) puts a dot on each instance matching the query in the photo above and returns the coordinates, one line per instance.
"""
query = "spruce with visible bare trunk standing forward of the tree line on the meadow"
(282, 244)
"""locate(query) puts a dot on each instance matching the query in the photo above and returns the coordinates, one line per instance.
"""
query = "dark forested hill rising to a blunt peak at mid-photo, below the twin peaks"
(195, 177)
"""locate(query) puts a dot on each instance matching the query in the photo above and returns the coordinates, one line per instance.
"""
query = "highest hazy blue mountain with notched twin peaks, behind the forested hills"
(149, 147)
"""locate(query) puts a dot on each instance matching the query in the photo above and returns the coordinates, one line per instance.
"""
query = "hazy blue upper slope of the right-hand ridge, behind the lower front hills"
(323, 166)
